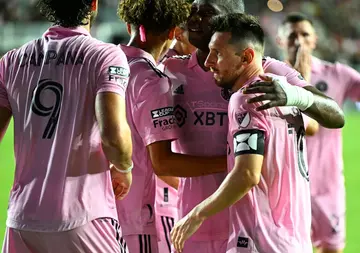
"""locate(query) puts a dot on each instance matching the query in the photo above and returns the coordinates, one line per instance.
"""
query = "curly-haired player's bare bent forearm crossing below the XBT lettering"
(167, 163)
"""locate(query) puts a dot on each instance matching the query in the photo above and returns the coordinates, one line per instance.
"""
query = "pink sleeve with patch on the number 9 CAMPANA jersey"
(114, 73)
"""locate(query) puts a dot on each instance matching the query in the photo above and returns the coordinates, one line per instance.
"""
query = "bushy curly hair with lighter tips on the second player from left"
(157, 16)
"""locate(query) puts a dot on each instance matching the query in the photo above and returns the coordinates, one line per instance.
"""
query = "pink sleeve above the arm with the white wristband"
(282, 69)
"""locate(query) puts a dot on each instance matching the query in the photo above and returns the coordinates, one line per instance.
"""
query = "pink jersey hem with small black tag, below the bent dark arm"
(166, 200)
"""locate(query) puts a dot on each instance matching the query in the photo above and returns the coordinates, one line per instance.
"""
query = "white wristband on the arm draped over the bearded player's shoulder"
(296, 96)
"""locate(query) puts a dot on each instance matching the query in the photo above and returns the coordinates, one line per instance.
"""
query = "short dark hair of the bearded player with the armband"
(243, 28)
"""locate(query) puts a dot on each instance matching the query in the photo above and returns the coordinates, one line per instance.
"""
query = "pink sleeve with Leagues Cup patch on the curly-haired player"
(153, 111)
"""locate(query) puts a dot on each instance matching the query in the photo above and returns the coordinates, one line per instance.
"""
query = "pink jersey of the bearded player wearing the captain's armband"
(275, 216)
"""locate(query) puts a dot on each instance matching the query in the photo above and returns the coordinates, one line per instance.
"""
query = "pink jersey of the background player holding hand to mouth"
(339, 82)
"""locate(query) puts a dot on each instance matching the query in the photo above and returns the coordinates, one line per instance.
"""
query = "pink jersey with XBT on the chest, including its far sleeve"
(201, 111)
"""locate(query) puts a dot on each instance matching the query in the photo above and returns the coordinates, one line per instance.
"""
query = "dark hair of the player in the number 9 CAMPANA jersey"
(66, 13)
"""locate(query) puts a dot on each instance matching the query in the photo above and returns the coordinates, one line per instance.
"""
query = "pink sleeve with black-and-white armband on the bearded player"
(248, 127)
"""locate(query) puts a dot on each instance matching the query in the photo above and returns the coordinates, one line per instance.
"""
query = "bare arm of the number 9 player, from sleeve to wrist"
(114, 130)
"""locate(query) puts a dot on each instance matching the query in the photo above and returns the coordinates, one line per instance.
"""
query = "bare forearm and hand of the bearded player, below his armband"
(244, 176)
